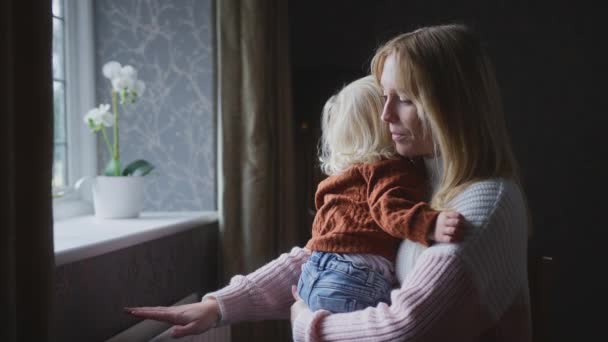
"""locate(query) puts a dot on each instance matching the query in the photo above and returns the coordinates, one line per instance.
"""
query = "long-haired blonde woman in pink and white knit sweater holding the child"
(442, 101)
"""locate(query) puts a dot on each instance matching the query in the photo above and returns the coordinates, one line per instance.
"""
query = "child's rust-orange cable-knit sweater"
(370, 208)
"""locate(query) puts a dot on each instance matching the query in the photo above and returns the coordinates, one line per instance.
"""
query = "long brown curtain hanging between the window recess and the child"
(257, 170)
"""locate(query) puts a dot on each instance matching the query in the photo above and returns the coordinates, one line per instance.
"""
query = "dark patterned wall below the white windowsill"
(90, 293)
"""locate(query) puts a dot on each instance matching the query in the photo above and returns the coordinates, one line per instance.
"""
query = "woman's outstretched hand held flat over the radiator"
(189, 319)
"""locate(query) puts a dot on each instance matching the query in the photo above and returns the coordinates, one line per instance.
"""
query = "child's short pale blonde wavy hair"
(352, 131)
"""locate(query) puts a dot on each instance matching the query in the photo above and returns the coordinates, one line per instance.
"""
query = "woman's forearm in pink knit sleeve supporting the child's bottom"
(438, 303)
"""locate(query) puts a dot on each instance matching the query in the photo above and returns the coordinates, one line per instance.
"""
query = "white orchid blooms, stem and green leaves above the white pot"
(126, 89)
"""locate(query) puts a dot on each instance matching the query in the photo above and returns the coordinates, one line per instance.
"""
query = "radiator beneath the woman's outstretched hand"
(153, 331)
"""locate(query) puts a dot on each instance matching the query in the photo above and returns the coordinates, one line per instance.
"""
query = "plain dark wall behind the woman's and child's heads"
(545, 54)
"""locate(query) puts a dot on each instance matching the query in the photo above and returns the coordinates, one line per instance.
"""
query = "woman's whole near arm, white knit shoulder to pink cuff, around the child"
(456, 291)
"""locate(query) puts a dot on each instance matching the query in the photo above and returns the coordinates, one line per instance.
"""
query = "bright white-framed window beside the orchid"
(74, 94)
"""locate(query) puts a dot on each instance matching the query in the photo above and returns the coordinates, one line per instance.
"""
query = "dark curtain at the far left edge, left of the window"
(26, 150)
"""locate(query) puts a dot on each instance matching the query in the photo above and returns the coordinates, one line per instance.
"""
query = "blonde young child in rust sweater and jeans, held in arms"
(371, 201)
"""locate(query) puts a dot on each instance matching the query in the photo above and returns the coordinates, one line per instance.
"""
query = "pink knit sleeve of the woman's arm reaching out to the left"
(263, 294)
